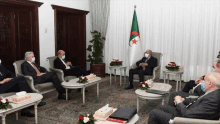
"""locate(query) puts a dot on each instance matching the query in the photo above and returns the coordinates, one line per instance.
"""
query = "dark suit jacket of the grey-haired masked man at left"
(27, 69)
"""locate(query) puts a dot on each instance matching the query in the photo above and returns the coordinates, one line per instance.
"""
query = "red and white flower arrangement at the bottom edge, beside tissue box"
(86, 119)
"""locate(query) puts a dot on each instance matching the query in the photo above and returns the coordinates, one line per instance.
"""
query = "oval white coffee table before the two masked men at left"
(72, 84)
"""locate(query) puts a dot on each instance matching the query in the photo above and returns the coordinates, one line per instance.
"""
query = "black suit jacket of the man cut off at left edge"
(4, 73)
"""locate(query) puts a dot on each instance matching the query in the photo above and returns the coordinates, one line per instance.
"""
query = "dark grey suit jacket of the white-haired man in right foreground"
(205, 107)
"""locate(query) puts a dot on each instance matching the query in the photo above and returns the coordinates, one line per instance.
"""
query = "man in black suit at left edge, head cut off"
(10, 83)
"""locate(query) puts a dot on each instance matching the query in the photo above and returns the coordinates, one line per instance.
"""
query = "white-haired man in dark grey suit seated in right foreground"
(204, 107)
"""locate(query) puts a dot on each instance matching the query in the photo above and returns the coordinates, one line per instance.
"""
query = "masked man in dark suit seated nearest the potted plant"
(66, 66)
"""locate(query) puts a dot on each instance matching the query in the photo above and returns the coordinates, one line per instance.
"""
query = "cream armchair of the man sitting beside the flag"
(156, 71)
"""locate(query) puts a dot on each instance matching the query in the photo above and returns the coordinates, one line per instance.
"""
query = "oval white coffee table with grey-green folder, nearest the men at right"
(156, 86)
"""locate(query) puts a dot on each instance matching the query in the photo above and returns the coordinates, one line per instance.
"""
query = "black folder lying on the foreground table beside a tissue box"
(124, 113)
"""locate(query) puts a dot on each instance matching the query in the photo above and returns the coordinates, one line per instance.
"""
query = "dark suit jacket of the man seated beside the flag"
(151, 63)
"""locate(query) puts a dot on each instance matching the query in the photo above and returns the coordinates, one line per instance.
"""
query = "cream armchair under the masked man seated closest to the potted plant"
(59, 72)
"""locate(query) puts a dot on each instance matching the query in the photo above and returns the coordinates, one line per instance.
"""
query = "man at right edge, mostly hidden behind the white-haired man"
(192, 83)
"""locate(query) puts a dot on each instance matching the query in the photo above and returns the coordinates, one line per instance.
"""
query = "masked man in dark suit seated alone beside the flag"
(145, 67)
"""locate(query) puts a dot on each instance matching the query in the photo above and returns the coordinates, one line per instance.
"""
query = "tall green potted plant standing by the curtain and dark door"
(95, 57)
